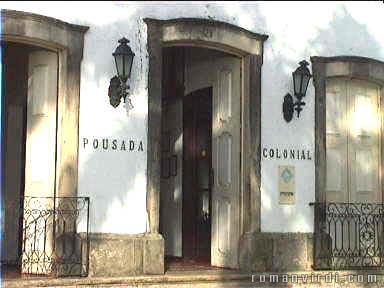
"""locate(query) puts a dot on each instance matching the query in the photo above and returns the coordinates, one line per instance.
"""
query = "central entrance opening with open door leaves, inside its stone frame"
(200, 156)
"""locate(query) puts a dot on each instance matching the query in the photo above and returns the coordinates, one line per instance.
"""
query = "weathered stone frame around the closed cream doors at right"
(349, 67)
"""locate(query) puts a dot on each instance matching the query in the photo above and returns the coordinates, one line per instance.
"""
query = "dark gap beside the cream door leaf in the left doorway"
(16, 85)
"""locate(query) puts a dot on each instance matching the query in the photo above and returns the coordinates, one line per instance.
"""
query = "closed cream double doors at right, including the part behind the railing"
(353, 169)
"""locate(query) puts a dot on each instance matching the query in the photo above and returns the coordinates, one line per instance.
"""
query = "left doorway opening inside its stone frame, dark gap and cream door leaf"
(31, 75)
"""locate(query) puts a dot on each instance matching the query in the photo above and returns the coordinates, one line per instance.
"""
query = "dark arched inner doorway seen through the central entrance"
(197, 177)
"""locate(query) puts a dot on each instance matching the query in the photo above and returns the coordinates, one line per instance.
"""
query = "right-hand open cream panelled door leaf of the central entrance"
(226, 162)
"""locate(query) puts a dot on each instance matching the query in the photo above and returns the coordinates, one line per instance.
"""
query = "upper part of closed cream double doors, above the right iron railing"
(353, 142)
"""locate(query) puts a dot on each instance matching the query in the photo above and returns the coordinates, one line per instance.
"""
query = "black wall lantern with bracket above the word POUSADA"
(117, 86)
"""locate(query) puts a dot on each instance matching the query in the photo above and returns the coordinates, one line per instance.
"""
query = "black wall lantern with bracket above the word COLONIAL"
(301, 77)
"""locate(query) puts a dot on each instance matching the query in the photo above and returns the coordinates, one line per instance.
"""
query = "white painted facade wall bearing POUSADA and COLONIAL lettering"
(116, 181)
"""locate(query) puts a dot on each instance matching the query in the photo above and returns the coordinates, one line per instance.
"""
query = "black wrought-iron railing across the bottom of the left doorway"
(55, 236)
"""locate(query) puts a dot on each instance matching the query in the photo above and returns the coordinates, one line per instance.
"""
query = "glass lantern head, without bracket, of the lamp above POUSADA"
(123, 59)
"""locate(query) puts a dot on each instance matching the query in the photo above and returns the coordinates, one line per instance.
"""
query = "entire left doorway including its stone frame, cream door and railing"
(42, 79)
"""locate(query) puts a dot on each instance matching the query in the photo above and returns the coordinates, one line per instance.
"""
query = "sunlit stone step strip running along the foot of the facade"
(203, 278)
